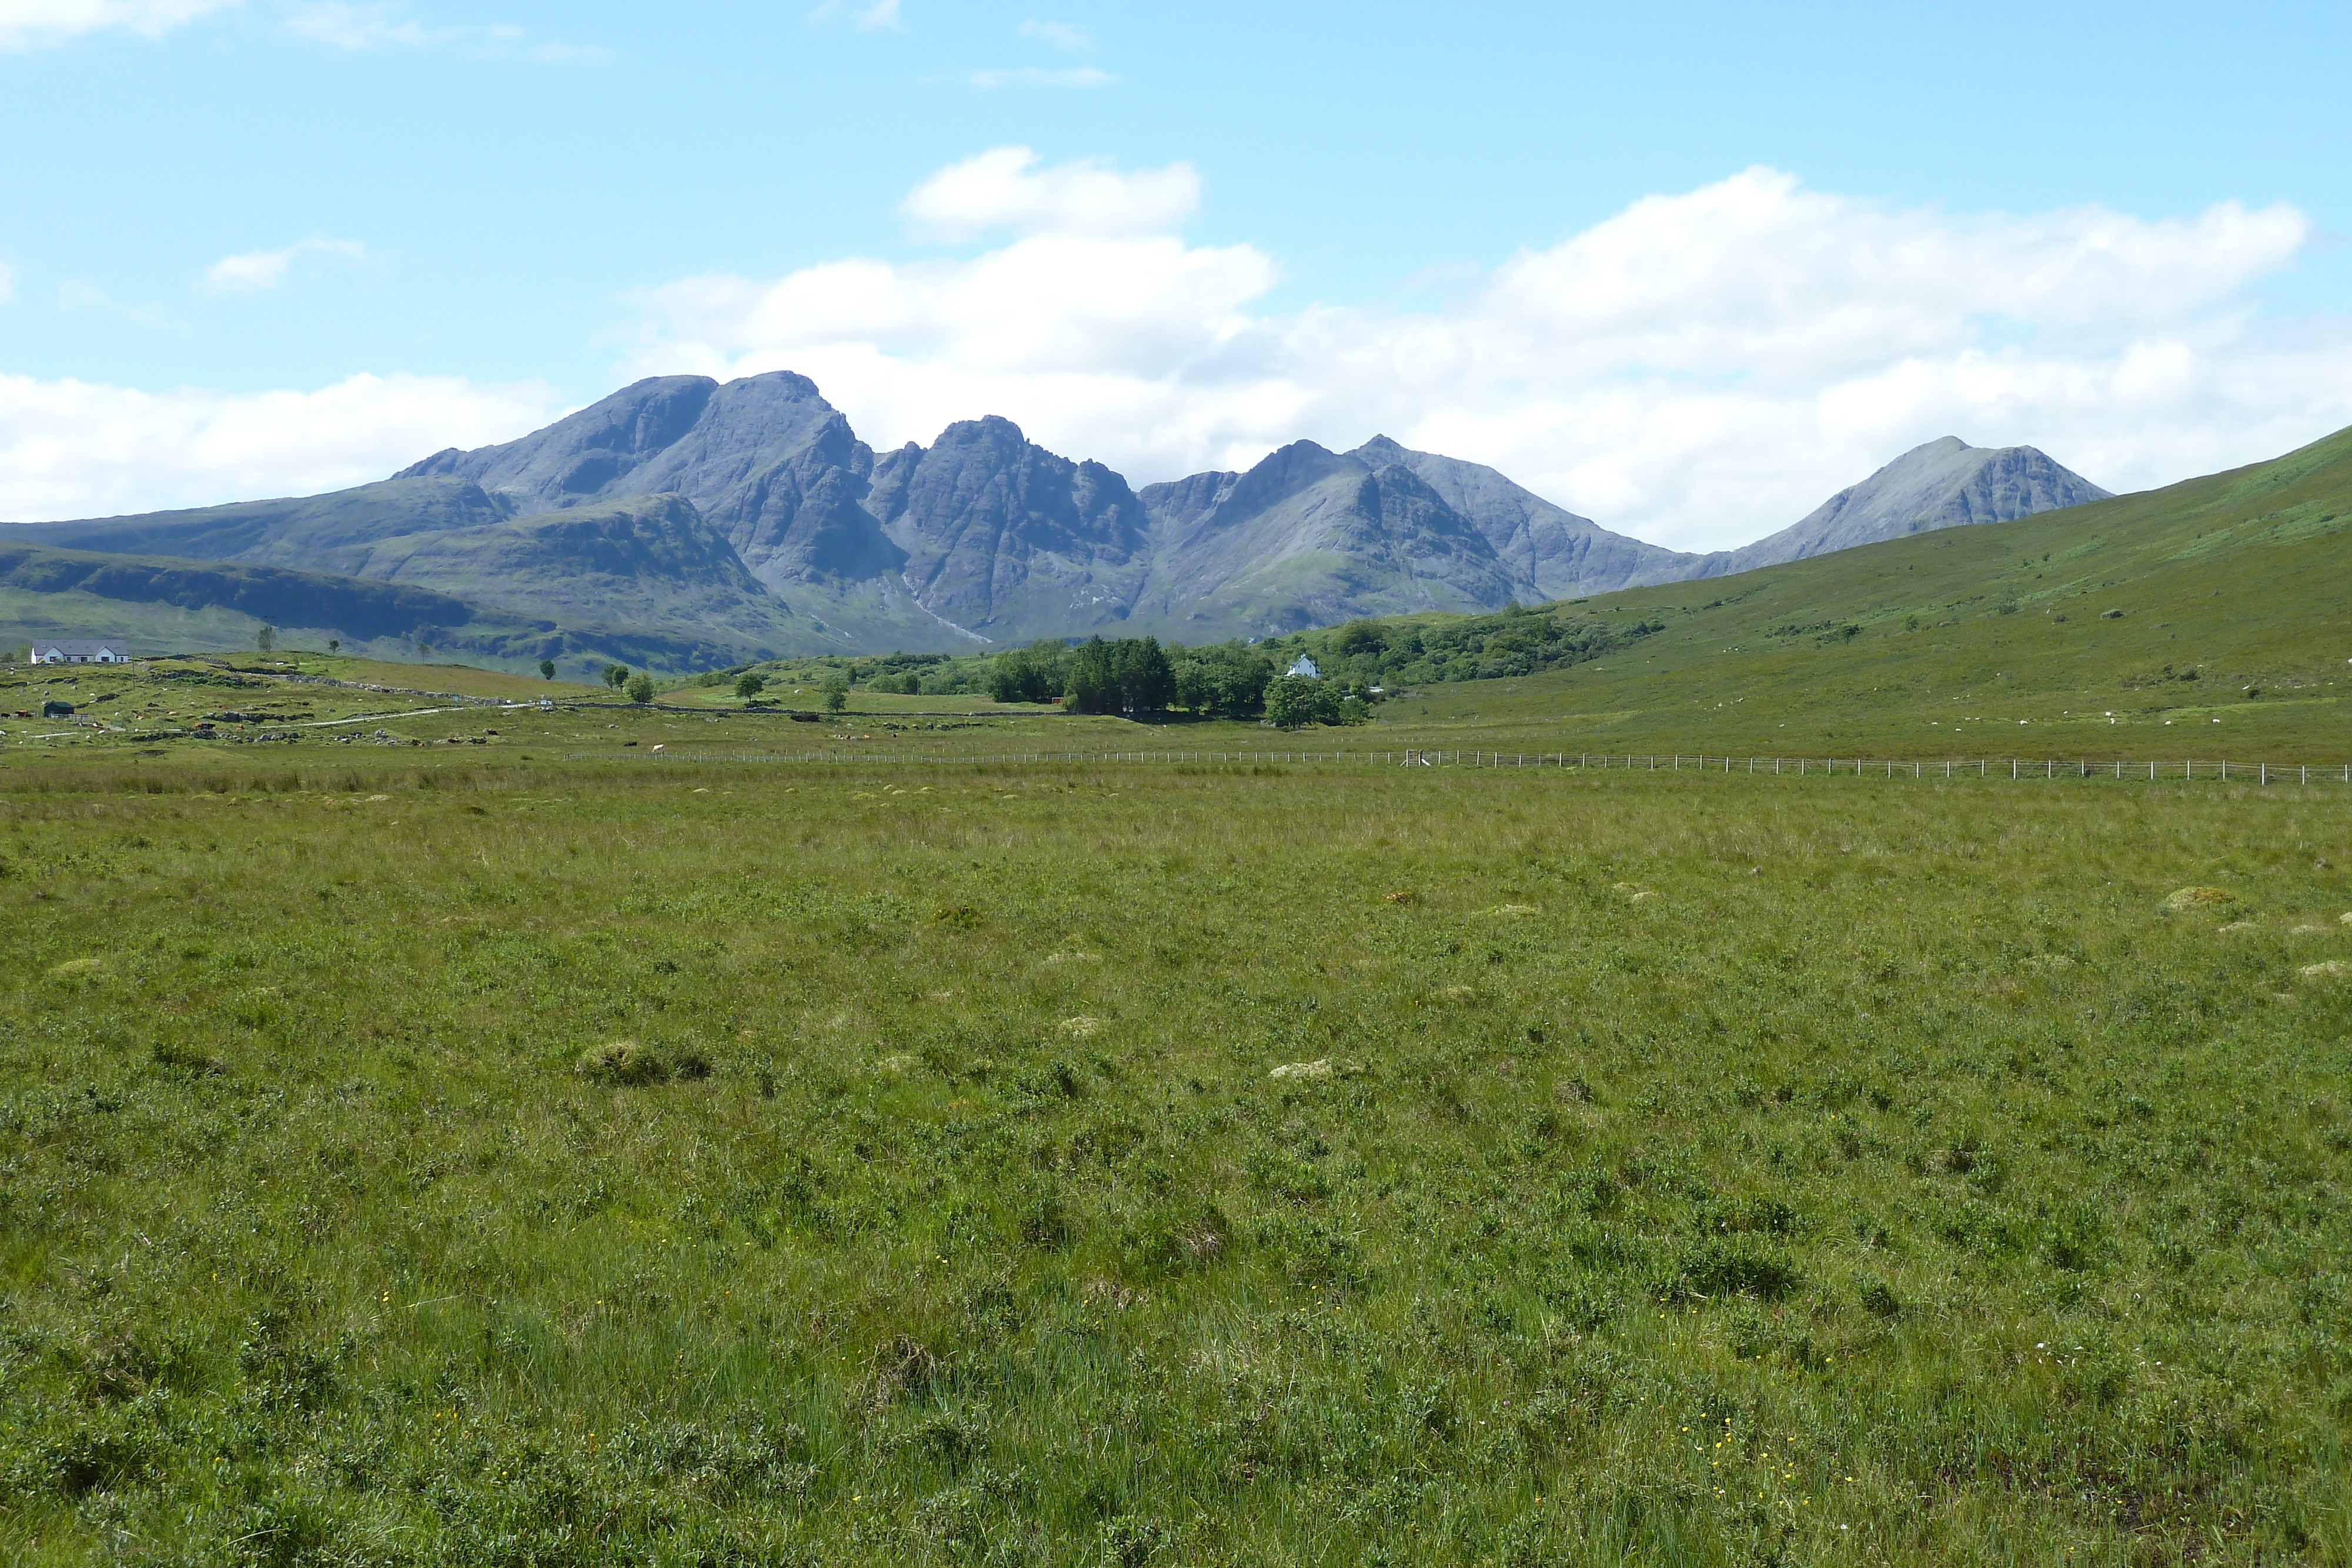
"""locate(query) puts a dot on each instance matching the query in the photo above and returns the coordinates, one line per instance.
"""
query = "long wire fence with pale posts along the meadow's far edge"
(2014, 770)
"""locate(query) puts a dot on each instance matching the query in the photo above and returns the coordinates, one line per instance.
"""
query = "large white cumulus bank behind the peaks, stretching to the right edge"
(1697, 370)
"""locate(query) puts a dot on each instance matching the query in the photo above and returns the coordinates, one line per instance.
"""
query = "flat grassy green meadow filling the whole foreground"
(441, 1158)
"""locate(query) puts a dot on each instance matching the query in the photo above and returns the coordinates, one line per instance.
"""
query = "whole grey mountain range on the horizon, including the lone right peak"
(688, 523)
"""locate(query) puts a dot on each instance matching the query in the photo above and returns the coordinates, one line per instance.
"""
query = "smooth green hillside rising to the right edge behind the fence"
(2210, 617)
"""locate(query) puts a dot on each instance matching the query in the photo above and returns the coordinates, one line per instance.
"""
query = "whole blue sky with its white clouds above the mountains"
(497, 213)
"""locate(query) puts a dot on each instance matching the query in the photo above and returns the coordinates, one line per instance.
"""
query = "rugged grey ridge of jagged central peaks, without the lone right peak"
(987, 537)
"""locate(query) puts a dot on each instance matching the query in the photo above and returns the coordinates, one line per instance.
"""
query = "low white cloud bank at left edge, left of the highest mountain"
(86, 450)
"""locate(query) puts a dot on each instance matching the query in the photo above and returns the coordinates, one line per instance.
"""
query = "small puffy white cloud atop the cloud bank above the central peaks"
(1005, 189)
